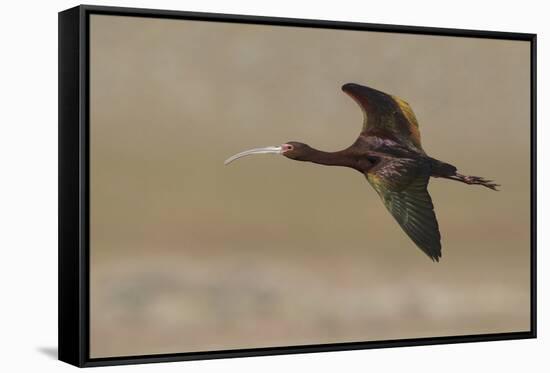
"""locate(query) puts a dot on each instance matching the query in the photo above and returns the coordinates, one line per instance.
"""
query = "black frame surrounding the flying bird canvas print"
(74, 184)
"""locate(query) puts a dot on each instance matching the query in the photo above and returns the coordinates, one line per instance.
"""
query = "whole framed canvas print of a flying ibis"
(238, 186)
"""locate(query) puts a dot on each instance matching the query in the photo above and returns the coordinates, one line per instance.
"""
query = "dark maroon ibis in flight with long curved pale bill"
(389, 154)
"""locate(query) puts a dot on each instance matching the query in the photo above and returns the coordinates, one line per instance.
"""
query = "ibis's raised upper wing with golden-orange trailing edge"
(386, 116)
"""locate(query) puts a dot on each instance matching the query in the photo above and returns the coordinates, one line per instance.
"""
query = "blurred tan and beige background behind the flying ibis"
(190, 255)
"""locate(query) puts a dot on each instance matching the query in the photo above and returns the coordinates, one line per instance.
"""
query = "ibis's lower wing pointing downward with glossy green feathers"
(402, 185)
